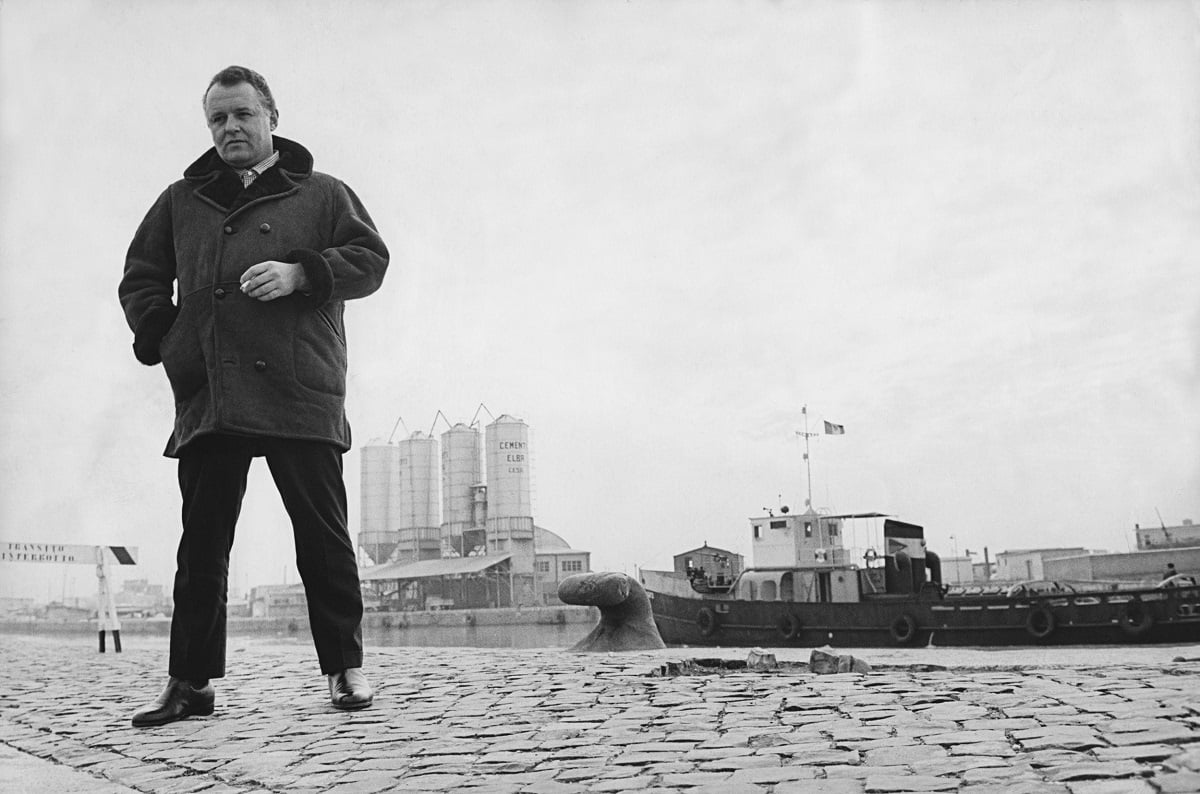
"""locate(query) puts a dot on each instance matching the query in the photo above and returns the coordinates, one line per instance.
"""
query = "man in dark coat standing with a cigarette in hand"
(262, 252)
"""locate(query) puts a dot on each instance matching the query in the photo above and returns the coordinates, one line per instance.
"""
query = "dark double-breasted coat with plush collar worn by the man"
(238, 365)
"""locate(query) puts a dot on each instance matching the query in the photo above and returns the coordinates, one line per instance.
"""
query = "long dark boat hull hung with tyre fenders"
(1148, 616)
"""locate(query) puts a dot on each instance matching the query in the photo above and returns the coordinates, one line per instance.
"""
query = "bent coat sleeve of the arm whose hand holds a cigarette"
(355, 266)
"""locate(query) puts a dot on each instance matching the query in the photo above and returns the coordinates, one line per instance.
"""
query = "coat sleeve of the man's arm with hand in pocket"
(149, 282)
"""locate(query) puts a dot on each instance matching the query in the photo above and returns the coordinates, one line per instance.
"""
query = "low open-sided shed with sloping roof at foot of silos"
(447, 584)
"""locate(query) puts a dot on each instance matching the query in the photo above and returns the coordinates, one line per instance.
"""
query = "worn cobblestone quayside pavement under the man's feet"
(549, 721)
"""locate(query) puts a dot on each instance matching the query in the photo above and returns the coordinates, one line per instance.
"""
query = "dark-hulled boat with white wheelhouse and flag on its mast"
(807, 588)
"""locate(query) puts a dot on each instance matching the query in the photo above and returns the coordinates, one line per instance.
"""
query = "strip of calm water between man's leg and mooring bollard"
(521, 636)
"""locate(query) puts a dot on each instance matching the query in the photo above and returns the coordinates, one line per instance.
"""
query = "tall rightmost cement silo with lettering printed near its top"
(509, 510)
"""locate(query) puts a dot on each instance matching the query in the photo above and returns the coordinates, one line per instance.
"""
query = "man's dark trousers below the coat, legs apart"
(213, 482)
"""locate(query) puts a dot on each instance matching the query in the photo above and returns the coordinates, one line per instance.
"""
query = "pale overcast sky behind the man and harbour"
(656, 232)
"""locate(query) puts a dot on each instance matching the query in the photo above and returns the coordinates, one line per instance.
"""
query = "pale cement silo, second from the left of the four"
(415, 512)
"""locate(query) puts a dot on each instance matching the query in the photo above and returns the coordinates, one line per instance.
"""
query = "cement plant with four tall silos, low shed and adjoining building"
(465, 539)
